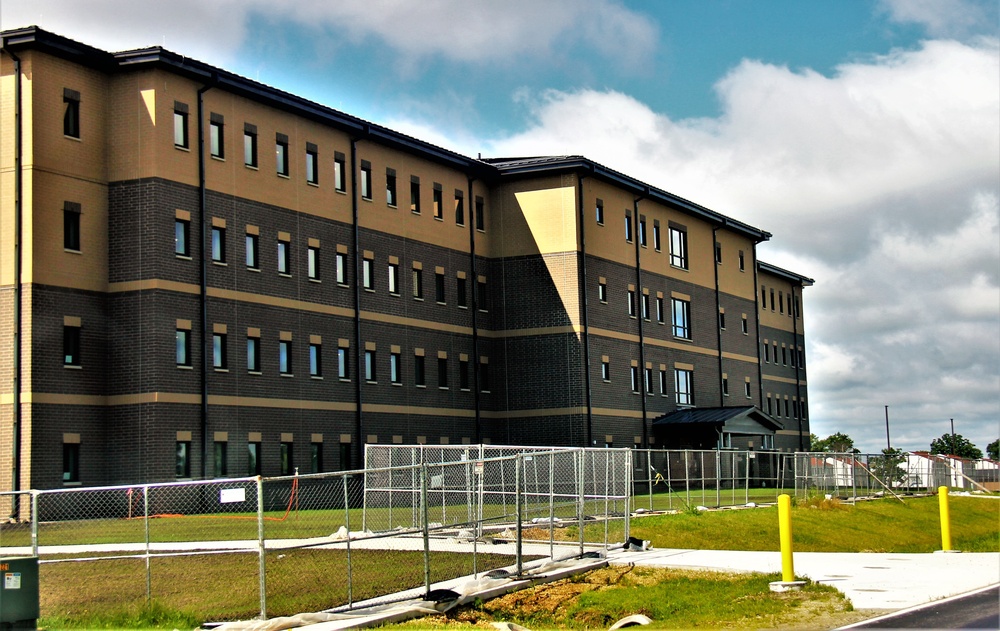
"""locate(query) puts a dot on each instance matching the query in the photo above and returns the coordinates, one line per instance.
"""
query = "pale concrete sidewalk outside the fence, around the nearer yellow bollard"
(870, 580)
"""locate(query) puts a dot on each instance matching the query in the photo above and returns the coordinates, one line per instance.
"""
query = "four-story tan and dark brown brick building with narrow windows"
(204, 276)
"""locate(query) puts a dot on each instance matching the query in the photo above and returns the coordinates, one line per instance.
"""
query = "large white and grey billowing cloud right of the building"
(880, 181)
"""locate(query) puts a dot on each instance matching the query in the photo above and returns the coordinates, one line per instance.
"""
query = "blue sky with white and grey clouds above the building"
(863, 134)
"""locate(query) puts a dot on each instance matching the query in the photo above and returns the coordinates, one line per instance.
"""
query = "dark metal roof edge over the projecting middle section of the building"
(541, 164)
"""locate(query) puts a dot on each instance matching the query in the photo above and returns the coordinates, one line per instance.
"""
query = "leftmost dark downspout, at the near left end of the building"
(15, 447)
